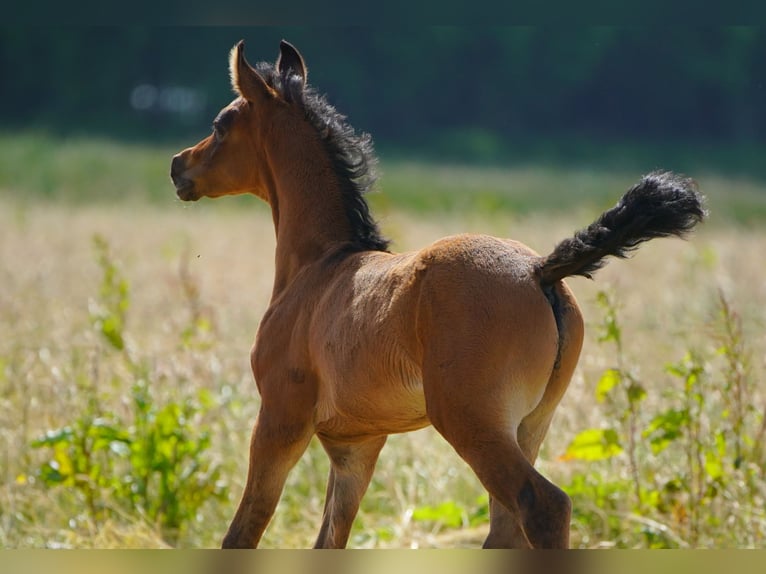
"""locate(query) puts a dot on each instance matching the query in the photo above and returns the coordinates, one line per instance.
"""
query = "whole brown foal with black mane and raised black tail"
(476, 335)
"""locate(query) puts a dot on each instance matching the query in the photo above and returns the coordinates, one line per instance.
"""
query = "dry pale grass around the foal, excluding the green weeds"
(48, 274)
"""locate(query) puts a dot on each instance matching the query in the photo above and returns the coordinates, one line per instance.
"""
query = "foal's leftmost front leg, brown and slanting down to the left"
(275, 447)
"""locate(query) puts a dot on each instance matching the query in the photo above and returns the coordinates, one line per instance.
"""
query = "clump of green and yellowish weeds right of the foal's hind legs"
(689, 461)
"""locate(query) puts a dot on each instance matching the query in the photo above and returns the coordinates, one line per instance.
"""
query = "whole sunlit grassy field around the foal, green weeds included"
(126, 399)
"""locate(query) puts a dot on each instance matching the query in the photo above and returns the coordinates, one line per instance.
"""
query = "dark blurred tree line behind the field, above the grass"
(601, 96)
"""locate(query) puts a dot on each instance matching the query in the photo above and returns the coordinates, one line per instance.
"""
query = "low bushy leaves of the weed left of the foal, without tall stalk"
(154, 463)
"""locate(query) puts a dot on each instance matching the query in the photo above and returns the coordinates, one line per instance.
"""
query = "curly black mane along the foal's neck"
(352, 154)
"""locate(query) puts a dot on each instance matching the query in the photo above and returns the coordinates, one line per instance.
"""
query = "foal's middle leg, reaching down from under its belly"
(350, 474)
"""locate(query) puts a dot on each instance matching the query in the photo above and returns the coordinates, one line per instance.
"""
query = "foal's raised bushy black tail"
(660, 205)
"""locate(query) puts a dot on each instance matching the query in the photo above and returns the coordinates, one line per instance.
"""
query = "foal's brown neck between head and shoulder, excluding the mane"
(308, 211)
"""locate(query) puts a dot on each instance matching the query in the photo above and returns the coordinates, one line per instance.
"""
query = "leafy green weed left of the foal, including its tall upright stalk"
(152, 461)
